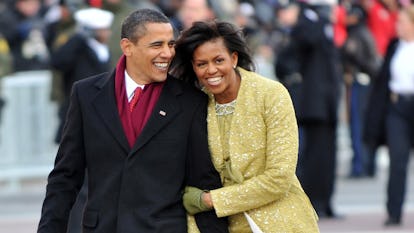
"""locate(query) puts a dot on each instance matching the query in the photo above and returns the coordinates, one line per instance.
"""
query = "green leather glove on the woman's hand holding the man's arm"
(192, 200)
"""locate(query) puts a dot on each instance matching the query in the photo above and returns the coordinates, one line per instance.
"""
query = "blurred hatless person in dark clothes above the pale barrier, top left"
(27, 34)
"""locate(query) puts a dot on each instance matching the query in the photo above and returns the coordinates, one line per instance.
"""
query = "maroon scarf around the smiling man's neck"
(133, 122)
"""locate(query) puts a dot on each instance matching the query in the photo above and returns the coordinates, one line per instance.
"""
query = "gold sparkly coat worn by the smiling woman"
(263, 148)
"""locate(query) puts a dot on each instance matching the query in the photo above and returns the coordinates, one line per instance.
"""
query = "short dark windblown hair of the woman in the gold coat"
(204, 31)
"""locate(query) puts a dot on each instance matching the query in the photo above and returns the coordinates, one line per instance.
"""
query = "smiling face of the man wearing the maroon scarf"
(149, 58)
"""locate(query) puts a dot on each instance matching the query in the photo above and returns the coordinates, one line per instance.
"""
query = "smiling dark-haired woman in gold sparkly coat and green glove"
(252, 134)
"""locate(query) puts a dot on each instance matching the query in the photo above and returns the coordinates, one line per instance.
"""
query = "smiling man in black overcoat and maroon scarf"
(138, 158)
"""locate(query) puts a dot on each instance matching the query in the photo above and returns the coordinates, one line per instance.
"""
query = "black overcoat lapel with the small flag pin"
(164, 111)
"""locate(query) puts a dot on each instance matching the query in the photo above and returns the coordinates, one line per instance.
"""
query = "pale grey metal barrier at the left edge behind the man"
(28, 125)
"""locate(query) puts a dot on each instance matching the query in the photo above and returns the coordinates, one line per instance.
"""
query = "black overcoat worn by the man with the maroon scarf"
(129, 190)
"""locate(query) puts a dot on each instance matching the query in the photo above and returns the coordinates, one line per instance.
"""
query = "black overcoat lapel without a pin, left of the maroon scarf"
(105, 105)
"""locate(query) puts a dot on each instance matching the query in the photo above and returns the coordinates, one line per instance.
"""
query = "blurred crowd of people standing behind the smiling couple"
(321, 50)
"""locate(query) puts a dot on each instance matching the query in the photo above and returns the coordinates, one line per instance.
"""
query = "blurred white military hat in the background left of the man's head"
(94, 18)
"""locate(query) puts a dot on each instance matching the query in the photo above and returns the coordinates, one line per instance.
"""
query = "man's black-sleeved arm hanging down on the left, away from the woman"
(66, 178)
